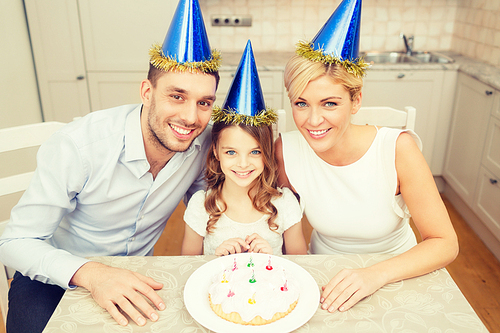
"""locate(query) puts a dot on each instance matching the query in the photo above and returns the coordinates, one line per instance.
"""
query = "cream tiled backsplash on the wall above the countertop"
(470, 27)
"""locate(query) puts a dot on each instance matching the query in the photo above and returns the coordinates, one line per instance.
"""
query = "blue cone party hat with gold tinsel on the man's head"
(186, 45)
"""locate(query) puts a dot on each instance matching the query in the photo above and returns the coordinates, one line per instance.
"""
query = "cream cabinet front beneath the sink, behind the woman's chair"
(420, 89)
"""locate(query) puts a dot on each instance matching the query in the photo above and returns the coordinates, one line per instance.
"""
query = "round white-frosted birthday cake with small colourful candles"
(250, 293)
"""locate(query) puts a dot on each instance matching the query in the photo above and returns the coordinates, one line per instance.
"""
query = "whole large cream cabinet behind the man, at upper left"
(93, 54)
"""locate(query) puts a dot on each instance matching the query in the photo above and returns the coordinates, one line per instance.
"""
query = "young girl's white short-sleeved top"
(289, 213)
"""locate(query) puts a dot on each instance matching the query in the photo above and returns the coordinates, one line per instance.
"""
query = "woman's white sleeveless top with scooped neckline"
(352, 208)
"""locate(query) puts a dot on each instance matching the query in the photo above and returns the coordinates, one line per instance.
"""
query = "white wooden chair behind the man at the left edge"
(18, 147)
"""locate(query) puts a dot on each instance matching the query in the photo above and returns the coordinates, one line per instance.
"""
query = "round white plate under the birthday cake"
(198, 306)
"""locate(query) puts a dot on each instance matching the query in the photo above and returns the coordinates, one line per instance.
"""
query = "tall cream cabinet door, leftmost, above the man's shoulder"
(54, 28)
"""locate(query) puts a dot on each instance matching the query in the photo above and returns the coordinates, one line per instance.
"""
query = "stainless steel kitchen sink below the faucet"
(402, 57)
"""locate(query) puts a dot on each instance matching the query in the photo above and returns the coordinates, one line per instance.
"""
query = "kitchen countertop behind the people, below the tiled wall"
(269, 61)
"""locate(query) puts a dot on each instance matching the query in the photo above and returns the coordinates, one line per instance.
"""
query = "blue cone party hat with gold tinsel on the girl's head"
(244, 102)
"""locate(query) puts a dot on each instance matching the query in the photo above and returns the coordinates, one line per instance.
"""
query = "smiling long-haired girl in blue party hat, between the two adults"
(243, 210)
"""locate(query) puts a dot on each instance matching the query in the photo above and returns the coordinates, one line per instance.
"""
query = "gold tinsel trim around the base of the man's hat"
(166, 63)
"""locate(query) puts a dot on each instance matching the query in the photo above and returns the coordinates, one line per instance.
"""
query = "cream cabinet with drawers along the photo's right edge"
(472, 167)
